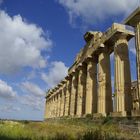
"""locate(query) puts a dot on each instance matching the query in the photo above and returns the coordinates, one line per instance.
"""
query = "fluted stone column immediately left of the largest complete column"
(104, 84)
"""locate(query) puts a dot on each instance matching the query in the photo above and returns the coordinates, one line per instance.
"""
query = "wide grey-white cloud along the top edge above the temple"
(93, 10)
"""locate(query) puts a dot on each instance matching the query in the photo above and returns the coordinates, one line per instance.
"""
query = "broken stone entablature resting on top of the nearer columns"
(94, 45)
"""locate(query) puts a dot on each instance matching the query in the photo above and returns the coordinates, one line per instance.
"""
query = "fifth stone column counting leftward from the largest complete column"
(73, 102)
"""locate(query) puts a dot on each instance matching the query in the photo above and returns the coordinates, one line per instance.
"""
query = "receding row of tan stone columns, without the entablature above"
(87, 90)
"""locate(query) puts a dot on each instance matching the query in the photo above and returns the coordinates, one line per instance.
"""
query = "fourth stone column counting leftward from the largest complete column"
(81, 90)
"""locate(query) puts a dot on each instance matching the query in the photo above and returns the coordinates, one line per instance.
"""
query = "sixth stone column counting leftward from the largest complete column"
(68, 95)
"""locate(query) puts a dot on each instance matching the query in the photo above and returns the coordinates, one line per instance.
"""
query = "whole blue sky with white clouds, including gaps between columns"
(39, 41)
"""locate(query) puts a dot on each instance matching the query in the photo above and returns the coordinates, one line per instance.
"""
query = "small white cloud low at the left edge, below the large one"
(6, 91)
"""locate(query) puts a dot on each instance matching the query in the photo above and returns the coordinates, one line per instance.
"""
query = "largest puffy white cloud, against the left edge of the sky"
(21, 44)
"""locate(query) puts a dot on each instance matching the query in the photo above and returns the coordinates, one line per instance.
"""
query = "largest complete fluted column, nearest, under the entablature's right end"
(122, 76)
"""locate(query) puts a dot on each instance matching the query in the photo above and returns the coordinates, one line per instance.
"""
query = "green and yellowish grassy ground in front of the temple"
(66, 129)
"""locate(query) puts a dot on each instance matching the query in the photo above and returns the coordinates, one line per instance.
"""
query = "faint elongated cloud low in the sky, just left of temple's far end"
(33, 89)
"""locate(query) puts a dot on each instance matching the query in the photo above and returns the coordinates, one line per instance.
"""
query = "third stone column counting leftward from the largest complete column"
(91, 87)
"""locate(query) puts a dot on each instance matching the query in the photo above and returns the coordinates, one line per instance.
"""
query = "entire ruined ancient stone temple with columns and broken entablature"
(87, 88)
